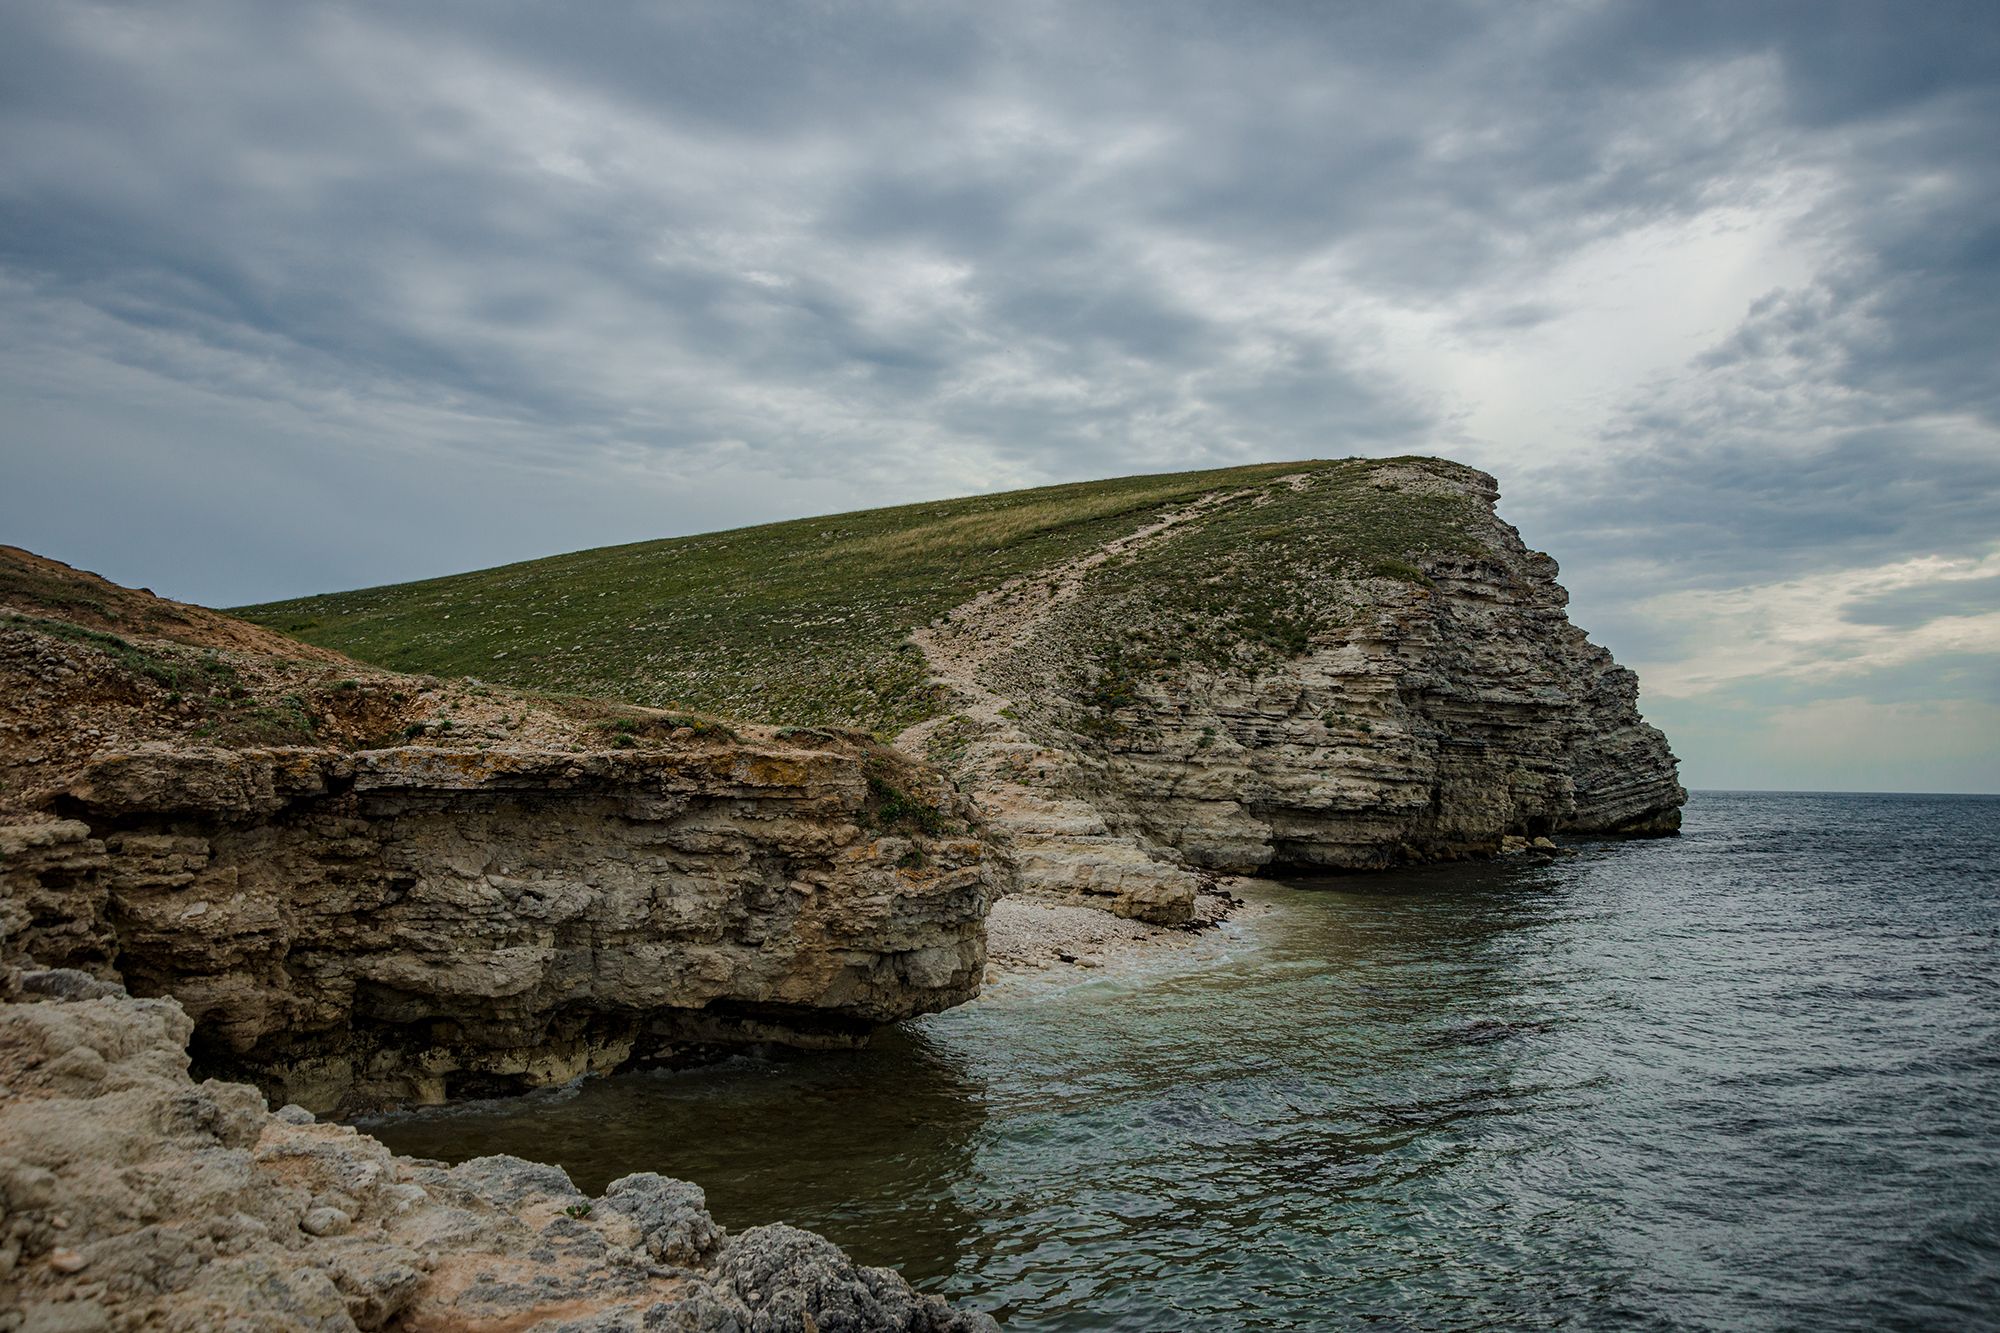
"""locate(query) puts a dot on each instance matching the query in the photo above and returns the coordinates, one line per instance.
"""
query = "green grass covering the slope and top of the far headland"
(805, 621)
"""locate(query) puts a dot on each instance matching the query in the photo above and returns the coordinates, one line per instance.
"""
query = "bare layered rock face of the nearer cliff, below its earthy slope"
(399, 926)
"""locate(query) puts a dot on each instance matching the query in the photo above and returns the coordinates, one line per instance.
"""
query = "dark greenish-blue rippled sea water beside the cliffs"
(1739, 1080)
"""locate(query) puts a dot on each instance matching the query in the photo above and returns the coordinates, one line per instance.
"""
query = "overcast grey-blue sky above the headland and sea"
(327, 295)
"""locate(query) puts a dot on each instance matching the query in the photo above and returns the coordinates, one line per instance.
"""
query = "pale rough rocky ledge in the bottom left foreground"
(133, 1198)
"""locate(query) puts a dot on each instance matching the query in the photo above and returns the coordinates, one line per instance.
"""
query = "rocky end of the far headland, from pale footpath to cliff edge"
(1373, 712)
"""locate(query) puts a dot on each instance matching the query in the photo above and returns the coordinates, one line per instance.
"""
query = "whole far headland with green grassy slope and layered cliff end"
(1287, 668)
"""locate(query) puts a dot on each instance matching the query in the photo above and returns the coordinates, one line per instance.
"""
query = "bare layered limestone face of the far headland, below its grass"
(1449, 720)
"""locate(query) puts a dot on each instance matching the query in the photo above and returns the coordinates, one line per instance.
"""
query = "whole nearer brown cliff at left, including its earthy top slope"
(373, 890)
